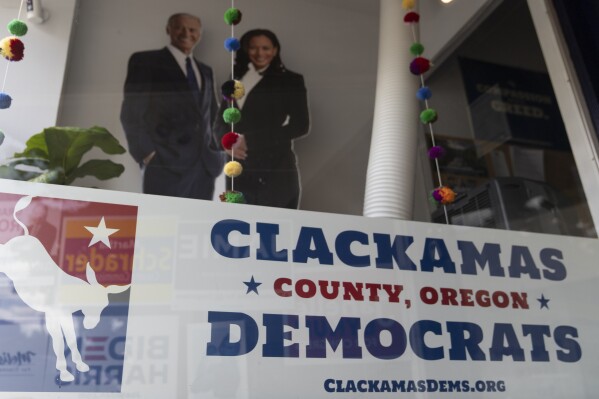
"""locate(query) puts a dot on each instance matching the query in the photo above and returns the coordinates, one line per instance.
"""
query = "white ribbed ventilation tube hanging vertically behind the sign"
(391, 164)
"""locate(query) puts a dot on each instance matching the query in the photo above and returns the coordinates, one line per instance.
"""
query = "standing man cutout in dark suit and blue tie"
(167, 114)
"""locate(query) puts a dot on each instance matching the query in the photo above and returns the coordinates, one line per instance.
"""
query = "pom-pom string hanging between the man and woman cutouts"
(232, 90)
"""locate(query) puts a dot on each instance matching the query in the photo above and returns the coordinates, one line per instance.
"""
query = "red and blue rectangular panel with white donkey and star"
(63, 264)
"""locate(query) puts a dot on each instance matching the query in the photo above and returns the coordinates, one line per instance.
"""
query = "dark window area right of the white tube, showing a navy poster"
(507, 154)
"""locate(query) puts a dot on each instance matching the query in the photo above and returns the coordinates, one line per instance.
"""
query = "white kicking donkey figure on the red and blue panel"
(25, 260)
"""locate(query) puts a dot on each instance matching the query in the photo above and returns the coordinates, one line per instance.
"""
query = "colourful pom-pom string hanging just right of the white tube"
(442, 195)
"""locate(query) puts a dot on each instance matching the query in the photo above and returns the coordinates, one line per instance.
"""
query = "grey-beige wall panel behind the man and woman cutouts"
(333, 43)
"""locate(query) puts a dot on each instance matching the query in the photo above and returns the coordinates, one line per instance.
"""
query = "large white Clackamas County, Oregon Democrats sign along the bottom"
(213, 300)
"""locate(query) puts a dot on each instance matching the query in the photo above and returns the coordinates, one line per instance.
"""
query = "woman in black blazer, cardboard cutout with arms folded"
(274, 112)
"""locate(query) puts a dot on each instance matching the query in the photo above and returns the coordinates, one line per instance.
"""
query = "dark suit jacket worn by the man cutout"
(159, 113)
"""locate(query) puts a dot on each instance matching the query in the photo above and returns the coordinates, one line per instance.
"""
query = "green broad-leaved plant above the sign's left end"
(54, 156)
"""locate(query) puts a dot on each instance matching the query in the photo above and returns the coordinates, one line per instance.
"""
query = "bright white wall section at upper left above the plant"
(35, 83)
